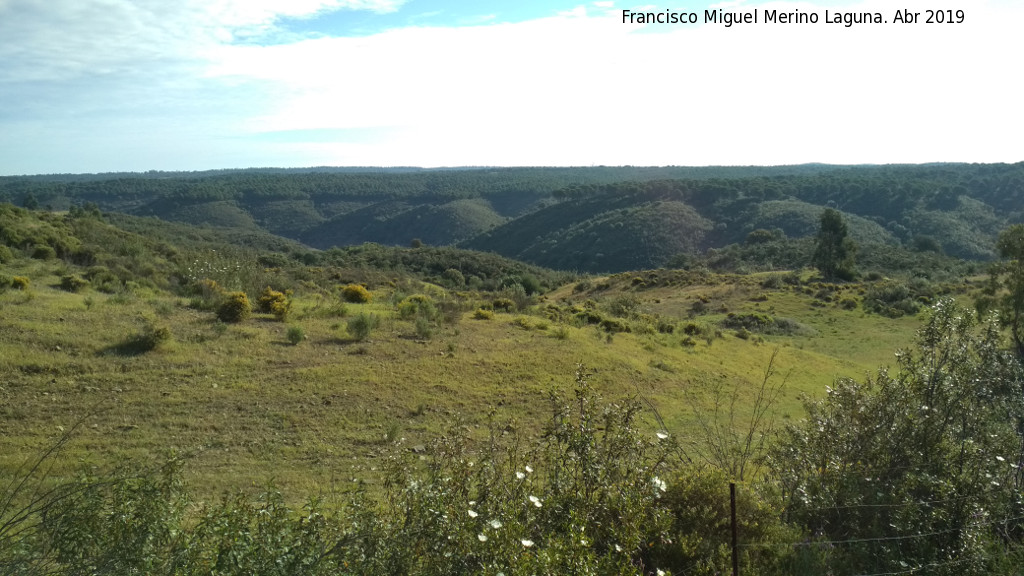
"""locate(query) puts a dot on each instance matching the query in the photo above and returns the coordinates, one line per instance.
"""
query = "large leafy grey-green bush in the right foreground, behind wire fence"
(918, 470)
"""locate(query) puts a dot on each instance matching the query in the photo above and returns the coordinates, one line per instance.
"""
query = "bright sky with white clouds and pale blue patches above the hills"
(137, 86)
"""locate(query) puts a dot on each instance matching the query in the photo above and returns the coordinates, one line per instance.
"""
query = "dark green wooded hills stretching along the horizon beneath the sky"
(591, 220)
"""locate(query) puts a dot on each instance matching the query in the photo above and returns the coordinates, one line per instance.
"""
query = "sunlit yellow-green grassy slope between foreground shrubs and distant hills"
(259, 409)
